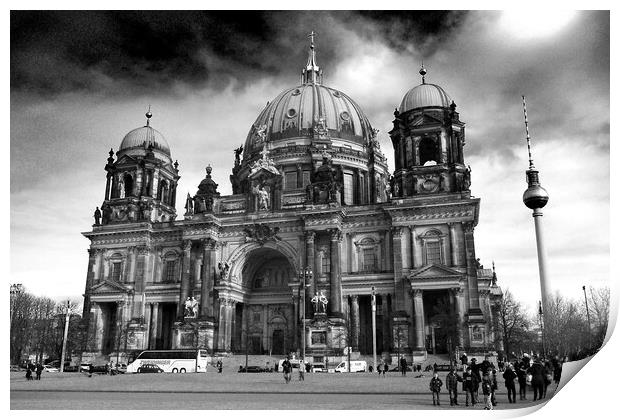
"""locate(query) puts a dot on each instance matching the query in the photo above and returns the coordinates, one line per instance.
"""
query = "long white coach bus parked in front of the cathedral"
(172, 361)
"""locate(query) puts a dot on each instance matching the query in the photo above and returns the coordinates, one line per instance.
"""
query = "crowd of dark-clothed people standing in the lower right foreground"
(483, 376)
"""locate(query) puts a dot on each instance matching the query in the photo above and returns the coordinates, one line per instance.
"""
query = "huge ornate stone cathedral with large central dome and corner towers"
(317, 236)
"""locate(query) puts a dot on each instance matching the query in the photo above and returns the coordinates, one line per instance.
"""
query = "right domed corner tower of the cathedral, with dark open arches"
(428, 139)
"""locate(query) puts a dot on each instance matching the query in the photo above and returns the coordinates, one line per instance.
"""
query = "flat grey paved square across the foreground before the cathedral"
(231, 390)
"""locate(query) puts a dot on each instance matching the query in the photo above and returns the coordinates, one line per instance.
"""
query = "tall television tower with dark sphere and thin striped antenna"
(535, 198)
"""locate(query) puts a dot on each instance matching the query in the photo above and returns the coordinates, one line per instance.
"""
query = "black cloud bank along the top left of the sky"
(128, 52)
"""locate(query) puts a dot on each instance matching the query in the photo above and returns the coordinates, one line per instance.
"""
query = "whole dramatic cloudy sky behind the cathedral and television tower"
(81, 81)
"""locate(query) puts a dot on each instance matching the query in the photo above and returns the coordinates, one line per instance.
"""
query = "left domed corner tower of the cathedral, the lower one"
(141, 184)
